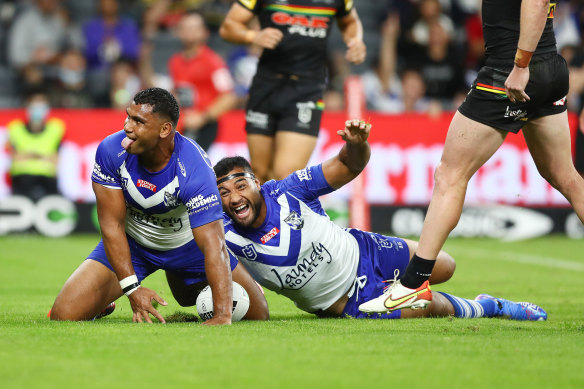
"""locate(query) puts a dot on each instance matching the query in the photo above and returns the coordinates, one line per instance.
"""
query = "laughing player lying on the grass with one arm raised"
(281, 234)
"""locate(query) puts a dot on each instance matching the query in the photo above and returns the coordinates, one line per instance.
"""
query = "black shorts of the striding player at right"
(547, 88)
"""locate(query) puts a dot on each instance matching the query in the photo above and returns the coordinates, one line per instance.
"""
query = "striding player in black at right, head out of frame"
(522, 86)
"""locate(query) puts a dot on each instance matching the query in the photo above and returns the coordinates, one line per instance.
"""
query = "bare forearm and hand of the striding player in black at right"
(532, 23)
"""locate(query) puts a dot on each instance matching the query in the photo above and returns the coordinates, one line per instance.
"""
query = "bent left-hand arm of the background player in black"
(235, 29)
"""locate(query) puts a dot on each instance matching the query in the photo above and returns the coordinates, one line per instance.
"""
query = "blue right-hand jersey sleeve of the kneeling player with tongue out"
(200, 194)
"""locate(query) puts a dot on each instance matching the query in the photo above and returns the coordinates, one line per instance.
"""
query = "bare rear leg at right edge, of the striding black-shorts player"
(548, 140)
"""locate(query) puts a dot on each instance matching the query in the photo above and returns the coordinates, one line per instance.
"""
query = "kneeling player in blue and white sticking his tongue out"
(158, 208)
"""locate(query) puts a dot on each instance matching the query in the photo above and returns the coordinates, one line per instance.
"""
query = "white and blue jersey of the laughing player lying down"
(298, 251)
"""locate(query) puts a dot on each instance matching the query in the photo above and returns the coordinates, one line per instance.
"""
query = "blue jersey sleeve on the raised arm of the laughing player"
(307, 184)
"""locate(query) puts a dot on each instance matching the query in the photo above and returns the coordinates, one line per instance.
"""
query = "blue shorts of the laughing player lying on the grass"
(380, 256)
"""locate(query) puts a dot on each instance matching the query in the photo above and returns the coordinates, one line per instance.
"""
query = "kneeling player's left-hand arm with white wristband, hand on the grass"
(111, 213)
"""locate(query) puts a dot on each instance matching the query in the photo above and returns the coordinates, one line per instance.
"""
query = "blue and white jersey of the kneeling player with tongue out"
(161, 207)
